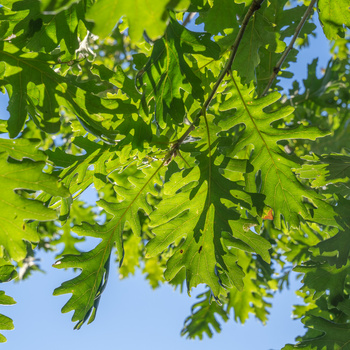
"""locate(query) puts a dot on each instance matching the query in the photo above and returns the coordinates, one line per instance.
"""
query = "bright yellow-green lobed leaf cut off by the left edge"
(16, 209)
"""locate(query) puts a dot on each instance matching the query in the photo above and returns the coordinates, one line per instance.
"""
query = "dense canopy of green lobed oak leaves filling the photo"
(204, 175)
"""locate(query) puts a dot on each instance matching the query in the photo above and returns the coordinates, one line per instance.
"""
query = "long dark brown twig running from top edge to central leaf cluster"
(234, 48)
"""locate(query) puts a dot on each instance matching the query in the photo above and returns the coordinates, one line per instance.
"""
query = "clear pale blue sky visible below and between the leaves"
(131, 315)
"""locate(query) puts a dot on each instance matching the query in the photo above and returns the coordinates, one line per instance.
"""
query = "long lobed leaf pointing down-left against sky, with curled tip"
(132, 185)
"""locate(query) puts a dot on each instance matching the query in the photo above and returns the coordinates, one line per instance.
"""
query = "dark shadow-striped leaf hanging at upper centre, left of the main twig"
(167, 72)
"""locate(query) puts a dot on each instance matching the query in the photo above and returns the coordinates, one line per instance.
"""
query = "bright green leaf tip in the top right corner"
(334, 16)
